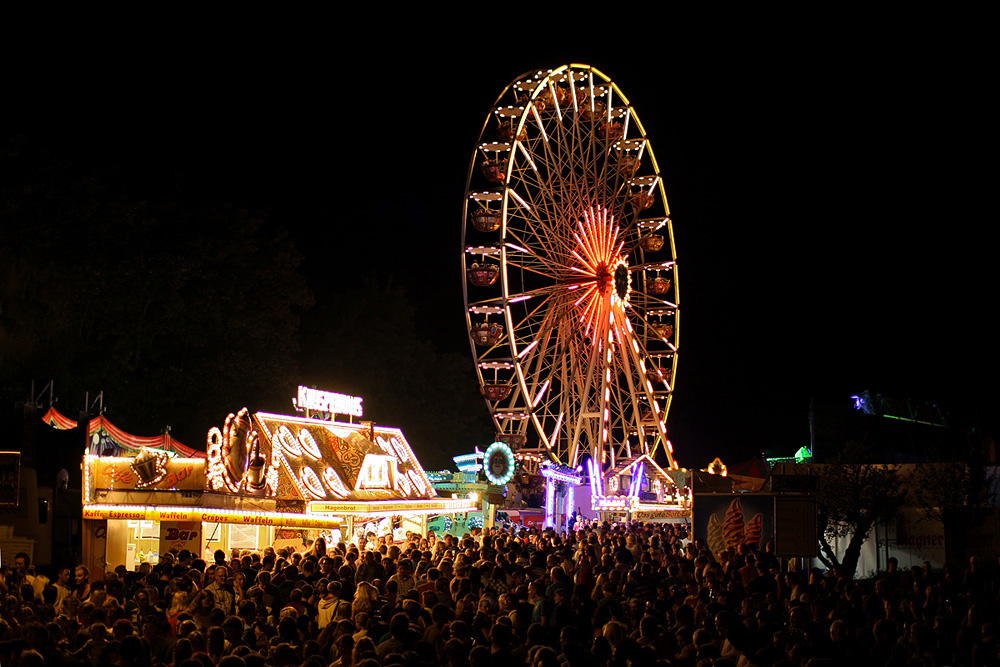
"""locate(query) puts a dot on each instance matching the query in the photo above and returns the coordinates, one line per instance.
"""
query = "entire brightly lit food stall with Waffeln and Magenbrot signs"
(268, 479)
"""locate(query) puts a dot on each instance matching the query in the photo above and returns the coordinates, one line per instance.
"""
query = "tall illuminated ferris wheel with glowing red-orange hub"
(571, 282)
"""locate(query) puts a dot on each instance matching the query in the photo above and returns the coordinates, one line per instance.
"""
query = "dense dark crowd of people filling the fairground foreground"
(605, 596)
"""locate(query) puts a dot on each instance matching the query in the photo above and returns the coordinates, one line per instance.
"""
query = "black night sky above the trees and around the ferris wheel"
(826, 191)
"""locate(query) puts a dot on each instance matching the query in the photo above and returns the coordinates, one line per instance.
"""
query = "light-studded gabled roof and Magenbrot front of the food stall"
(350, 476)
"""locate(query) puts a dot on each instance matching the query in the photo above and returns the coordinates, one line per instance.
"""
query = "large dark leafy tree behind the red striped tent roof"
(180, 309)
